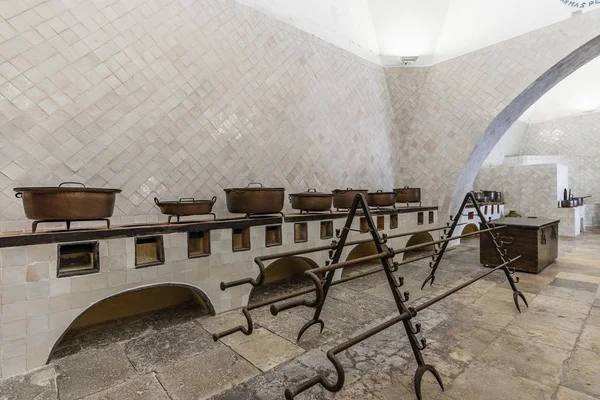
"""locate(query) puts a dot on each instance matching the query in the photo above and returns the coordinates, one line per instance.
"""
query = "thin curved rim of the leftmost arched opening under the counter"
(195, 291)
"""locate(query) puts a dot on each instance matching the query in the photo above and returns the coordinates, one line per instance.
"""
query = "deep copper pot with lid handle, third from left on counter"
(255, 200)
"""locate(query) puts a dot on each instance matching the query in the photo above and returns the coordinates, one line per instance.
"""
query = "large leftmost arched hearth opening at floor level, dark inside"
(131, 314)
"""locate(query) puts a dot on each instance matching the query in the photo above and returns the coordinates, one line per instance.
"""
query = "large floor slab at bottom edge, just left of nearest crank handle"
(206, 374)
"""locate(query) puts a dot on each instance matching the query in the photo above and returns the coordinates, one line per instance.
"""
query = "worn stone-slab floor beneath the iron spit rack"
(481, 345)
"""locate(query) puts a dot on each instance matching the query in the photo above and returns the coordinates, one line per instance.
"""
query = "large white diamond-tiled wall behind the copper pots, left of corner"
(174, 98)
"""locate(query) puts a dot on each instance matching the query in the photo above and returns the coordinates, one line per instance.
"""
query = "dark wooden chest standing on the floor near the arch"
(534, 239)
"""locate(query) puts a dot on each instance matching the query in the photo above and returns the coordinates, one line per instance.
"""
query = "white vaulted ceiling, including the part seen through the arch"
(382, 31)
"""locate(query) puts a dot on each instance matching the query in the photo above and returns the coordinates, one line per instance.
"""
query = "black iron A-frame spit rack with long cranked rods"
(385, 254)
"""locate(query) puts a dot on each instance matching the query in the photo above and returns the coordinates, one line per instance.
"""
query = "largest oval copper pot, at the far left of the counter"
(67, 203)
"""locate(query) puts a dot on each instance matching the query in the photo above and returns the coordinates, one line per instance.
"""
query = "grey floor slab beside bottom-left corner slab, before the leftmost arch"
(91, 371)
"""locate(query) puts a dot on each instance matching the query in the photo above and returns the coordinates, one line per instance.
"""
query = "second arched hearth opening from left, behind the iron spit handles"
(284, 276)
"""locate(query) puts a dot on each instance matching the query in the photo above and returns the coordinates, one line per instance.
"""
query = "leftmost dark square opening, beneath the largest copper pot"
(78, 259)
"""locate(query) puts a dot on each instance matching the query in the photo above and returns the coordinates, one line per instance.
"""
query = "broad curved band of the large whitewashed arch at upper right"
(514, 110)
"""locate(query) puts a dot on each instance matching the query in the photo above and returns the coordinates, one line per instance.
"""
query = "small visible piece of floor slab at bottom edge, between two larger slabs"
(145, 387)
